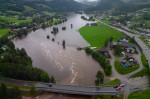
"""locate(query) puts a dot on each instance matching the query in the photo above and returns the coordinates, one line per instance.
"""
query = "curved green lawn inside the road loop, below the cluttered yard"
(122, 70)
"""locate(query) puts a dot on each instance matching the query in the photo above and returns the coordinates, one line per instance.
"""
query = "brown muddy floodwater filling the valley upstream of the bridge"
(68, 65)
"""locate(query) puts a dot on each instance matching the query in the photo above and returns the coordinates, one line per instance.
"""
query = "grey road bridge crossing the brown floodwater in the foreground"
(79, 90)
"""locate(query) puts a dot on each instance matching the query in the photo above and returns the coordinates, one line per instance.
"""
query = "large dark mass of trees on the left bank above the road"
(18, 65)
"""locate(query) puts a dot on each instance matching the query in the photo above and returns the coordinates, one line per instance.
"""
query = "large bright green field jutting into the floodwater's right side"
(96, 35)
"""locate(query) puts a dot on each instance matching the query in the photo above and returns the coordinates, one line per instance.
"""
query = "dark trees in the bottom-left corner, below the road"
(11, 93)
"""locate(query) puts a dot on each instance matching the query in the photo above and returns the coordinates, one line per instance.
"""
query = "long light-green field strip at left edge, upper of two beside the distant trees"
(15, 19)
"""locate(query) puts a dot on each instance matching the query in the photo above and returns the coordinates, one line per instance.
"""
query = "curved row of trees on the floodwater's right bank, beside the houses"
(102, 61)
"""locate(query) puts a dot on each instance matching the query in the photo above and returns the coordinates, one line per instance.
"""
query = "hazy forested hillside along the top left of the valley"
(40, 5)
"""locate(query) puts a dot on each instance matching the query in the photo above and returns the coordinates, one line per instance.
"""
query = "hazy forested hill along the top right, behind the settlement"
(118, 7)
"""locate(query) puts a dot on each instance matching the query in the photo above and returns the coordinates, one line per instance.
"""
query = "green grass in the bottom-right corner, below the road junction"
(140, 95)
